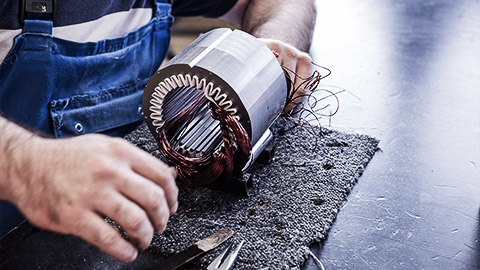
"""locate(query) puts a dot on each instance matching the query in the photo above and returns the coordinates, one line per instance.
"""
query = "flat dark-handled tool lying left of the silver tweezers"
(197, 249)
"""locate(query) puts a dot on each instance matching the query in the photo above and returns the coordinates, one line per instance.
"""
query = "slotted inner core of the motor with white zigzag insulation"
(202, 134)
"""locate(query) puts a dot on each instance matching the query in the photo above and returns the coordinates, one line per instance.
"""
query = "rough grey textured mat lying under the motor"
(294, 201)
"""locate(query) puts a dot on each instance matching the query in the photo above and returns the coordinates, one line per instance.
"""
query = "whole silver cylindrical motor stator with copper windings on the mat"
(212, 102)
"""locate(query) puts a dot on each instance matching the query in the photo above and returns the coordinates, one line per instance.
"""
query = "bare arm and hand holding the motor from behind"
(285, 26)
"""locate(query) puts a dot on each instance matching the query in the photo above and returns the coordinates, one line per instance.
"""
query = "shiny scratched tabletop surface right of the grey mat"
(415, 65)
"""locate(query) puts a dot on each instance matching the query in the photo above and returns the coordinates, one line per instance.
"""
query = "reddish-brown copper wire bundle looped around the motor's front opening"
(203, 170)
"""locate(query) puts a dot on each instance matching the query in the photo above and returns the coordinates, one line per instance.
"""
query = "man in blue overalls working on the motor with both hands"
(78, 68)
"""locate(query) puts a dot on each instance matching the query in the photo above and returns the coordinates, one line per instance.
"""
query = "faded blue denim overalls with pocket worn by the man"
(63, 88)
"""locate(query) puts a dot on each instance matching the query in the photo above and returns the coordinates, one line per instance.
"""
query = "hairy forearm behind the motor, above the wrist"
(290, 21)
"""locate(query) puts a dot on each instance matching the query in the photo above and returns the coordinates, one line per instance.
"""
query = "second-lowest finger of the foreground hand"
(129, 216)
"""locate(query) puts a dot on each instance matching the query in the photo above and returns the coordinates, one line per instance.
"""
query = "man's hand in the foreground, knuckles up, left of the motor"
(69, 185)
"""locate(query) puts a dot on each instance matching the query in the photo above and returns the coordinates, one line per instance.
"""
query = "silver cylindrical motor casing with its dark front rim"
(235, 70)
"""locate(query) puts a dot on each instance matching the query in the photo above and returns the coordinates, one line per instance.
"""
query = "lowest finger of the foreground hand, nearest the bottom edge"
(96, 231)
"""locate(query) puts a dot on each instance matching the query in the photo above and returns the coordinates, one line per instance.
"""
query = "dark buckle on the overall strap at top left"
(37, 10)
